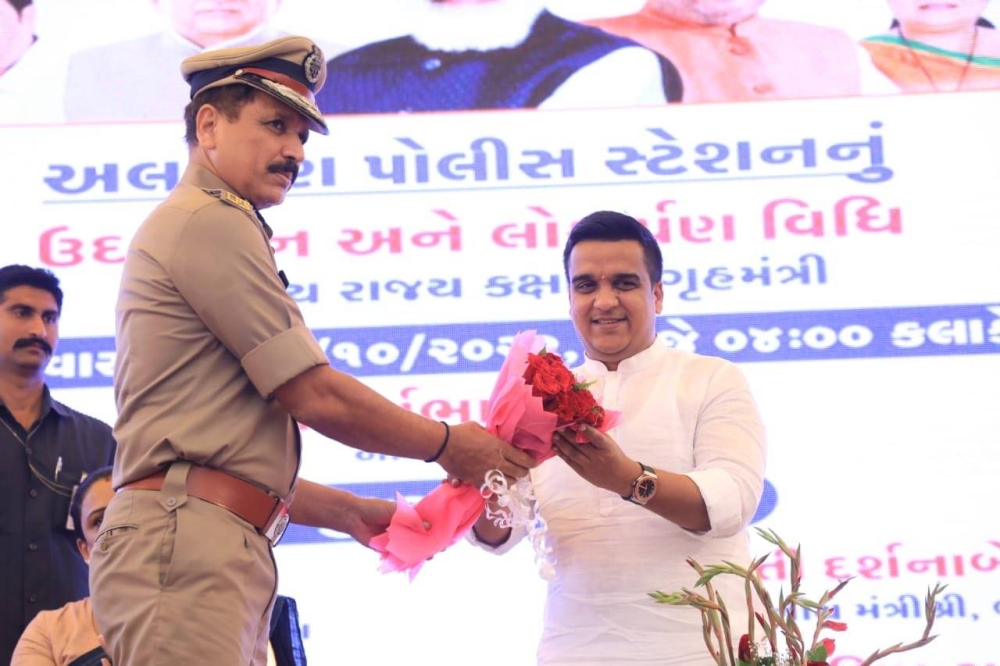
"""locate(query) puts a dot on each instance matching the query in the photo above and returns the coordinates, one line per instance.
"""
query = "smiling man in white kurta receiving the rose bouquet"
(680, 477)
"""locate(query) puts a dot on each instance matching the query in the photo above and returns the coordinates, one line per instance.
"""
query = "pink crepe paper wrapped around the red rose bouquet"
(515, 416)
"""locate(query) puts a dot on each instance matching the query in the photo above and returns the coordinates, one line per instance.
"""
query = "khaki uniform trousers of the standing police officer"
(176, 580)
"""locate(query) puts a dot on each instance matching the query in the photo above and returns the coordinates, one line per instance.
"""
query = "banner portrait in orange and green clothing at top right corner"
(938, 47)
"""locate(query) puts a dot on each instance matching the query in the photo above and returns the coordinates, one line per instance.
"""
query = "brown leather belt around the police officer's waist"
(265, 511)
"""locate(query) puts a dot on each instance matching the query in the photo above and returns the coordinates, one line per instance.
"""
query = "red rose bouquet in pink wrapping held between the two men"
(535, 394)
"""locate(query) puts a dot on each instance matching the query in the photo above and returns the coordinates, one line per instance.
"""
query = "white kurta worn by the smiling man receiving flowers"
(684, 413)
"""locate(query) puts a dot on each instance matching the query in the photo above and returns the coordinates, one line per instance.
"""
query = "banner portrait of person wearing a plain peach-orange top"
(727, 52)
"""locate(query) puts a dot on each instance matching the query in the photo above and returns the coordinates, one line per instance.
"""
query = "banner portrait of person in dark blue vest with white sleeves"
(503, 54)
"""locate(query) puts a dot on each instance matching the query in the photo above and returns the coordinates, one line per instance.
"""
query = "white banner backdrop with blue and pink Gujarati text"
(876, 374)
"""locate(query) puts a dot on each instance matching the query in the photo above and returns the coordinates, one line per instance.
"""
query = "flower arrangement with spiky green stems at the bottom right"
(783, 642)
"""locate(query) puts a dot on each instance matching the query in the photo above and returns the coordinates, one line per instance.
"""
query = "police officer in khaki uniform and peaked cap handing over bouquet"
(215, 366)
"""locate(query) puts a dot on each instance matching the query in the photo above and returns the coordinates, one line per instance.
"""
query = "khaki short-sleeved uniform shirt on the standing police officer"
(205, 334)
